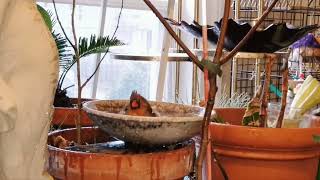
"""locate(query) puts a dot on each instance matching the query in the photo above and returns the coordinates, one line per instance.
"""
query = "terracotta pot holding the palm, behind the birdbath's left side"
(66, 117)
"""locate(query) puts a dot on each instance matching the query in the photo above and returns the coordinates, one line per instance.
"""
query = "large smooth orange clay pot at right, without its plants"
(249, 153)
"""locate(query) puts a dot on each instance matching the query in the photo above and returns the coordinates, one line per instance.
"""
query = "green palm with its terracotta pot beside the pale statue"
(65, 111)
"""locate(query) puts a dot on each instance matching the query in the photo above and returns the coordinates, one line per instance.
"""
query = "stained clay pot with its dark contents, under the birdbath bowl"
(111, 159)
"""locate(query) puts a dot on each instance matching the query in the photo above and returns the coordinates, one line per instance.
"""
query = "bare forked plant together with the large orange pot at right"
(254, 143)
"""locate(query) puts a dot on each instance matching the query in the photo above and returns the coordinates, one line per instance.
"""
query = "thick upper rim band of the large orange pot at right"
(265, 138)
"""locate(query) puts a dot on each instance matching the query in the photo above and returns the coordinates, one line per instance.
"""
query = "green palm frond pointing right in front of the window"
(96, 45)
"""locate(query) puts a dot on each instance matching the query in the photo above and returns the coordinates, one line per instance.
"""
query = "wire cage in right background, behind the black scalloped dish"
(247, 73)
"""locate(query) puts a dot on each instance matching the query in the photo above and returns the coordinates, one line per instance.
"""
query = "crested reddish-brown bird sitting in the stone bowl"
(138, 106)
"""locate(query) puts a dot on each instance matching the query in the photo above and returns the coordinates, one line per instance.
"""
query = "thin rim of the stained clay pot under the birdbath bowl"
(80, 153)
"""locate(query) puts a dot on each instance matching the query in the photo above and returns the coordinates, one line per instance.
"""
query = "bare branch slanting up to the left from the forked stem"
(174, 35)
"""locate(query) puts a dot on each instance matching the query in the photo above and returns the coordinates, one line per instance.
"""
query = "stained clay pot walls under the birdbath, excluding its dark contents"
(71, 165)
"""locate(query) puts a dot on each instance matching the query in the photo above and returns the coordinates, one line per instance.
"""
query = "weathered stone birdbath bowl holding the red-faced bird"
(175, 123)
